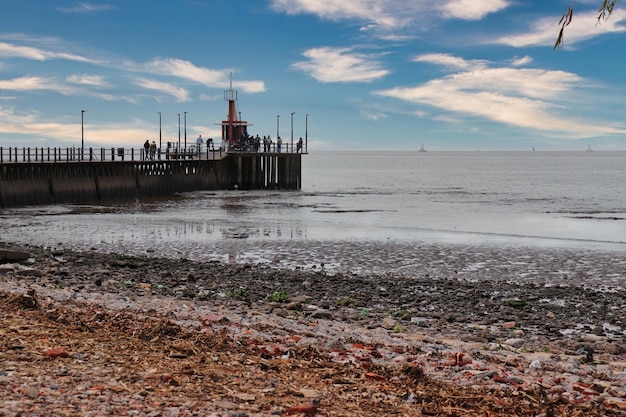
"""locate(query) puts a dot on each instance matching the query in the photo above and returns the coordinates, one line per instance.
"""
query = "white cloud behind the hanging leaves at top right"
(544, 31)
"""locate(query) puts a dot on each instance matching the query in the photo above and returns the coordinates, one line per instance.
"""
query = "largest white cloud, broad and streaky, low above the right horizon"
(527, 98)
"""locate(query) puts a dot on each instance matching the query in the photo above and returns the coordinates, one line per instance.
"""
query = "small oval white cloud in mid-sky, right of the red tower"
(329, 65)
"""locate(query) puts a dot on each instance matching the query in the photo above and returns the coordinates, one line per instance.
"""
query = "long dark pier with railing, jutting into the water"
(36, 176)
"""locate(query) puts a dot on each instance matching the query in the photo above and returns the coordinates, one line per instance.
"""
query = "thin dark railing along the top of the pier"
(74, 154)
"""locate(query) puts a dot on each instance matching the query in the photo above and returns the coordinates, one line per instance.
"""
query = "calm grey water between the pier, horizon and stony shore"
(376, 211)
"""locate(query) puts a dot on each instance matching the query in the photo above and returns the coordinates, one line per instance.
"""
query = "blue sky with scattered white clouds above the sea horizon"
(370, 74)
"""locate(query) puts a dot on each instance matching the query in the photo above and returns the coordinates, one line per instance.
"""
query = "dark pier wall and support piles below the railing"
(79, 182)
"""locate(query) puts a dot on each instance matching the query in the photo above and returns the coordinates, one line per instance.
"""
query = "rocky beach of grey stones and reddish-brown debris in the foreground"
(92, 333)
